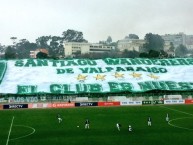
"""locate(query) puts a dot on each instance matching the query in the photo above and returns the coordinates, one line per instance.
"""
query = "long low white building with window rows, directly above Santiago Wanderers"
(72, 48)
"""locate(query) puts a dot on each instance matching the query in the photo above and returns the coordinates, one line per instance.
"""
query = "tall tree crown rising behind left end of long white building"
(73, 36)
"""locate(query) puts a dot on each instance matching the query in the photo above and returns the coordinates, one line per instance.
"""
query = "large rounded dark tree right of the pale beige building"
(153, 42)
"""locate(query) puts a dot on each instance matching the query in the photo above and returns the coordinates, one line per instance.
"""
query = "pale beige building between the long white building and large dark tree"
(130, 44)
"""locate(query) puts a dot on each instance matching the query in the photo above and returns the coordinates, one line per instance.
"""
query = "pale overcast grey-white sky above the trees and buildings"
(97, 19)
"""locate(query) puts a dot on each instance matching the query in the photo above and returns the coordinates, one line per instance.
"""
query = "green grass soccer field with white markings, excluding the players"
(41, 127)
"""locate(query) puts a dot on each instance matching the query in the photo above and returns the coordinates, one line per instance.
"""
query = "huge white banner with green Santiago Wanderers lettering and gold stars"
(75, 76)
